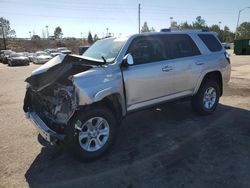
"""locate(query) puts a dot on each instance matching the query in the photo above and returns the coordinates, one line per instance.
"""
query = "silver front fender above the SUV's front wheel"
(94, 85)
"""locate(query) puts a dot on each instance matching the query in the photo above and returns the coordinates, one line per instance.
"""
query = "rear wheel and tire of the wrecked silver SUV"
(204, 103)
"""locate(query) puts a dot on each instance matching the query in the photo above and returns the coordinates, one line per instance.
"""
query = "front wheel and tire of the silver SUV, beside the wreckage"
(84, 143)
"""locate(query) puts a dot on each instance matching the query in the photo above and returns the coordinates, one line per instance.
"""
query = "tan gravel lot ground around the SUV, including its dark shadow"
(165, 147)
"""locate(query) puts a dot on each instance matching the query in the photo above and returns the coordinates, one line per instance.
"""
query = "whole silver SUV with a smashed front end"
(81, 100)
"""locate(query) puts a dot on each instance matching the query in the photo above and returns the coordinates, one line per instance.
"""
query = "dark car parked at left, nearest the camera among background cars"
(18, 59)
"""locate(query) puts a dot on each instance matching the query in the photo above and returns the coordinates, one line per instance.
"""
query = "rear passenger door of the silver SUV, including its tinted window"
(186, 62)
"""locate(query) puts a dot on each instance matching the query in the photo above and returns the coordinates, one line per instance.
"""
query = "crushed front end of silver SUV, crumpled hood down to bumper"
(50, 99)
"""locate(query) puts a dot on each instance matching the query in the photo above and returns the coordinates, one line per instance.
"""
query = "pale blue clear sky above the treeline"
(119, 16)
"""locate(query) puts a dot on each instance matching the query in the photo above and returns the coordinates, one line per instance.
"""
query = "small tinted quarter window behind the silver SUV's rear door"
(211, 42)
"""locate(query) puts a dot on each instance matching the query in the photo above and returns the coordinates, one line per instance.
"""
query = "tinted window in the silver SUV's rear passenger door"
(182, 46)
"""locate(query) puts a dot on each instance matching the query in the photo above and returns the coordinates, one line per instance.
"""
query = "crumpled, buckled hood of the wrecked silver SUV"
(59, 69)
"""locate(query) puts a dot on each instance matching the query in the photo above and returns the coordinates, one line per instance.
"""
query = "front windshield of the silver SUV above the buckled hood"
(107, 49)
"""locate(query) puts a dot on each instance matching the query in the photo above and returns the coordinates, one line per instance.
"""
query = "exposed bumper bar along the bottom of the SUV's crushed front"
(49, 135)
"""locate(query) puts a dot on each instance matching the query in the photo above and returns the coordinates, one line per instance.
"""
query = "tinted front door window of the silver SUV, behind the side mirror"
(147, 50)
